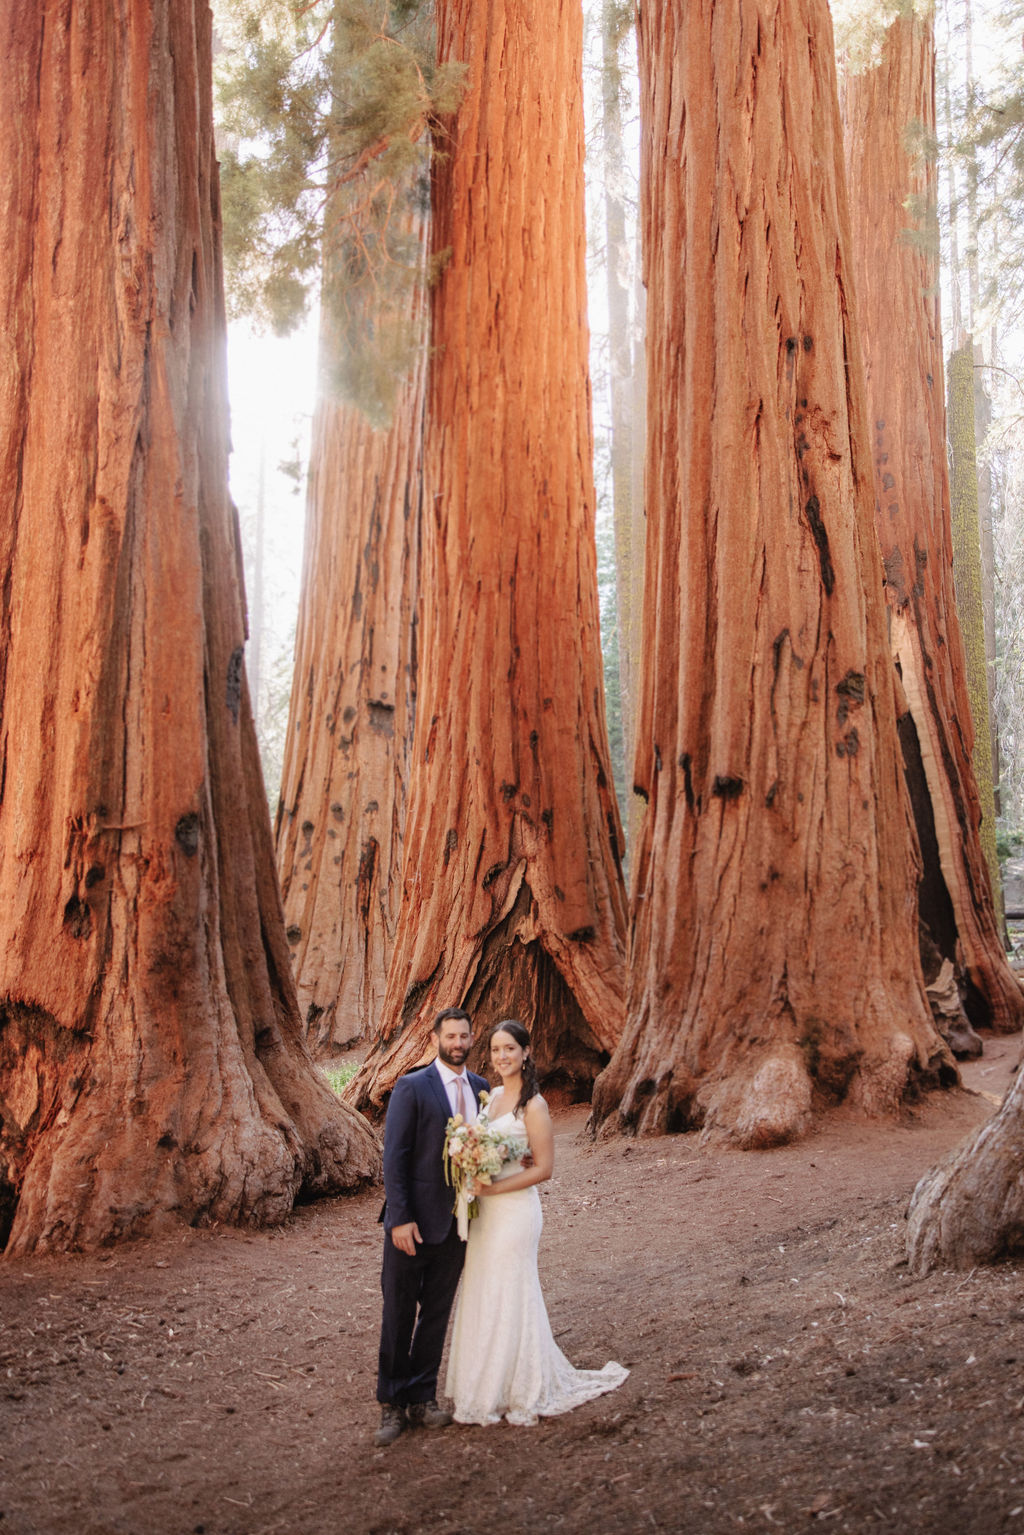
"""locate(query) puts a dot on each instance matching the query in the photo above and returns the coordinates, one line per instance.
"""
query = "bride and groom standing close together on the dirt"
(504, 1361)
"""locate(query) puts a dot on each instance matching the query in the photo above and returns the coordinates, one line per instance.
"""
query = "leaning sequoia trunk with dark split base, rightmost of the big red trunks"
(897, 294)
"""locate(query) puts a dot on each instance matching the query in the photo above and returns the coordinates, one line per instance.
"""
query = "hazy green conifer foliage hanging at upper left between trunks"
(326, 119)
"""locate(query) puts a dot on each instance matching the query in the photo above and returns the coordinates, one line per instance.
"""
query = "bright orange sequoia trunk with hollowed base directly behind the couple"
(514, 900)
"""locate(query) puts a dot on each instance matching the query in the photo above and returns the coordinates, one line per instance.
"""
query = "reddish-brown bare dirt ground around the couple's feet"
(787, 1372)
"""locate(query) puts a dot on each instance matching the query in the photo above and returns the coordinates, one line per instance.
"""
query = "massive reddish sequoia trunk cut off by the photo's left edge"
(151, 1065)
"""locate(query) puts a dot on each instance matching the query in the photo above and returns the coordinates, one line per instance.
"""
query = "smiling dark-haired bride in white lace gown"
(504, 1361)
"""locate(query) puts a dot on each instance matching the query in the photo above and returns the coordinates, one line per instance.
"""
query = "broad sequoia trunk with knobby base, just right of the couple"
(775, 937)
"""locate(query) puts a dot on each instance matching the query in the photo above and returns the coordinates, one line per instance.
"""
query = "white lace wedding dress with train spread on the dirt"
(504, 1361)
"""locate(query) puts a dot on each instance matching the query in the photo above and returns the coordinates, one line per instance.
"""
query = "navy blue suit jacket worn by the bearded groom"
(415, 1186)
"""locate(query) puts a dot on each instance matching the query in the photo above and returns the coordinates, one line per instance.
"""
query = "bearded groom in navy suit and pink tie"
(423, 1253)
